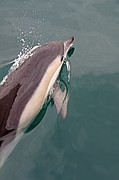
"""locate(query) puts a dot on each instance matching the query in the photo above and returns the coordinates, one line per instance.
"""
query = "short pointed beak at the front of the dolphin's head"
(67, 45)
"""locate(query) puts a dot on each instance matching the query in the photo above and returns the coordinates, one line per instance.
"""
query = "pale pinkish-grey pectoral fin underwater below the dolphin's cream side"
(60, 98)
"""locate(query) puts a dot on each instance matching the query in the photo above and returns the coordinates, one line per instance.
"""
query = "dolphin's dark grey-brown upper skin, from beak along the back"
(21, 84)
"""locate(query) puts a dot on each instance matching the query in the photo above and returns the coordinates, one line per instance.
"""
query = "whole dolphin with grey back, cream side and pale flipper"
(24, 91)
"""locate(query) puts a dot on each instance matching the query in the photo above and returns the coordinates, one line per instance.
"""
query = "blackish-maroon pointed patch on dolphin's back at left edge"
(6, 104)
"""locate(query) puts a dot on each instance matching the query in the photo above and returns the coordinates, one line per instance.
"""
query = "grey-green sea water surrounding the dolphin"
(84, 146)
